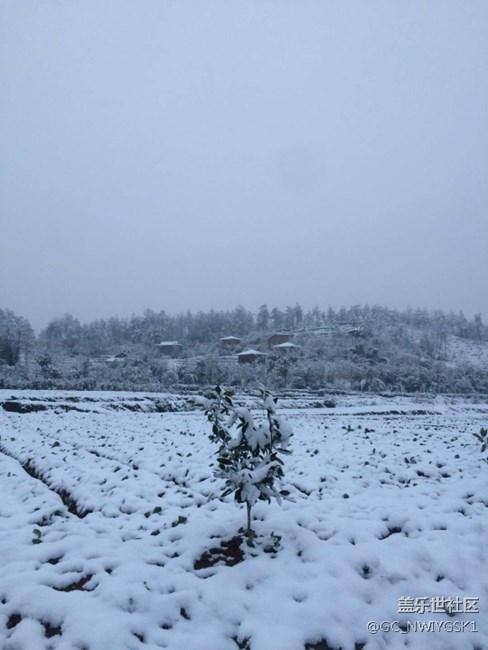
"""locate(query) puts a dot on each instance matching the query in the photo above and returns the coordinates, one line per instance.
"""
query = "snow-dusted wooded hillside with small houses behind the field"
(361, 348)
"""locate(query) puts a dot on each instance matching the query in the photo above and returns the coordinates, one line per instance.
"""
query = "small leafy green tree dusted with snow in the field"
(249, 448)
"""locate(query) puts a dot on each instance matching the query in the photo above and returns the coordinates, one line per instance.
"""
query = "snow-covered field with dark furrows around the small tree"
(110, 523)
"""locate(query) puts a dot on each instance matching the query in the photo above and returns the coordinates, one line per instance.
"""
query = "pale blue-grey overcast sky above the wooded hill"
(173, 154)
